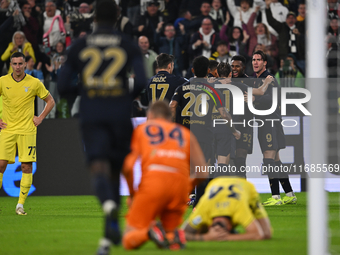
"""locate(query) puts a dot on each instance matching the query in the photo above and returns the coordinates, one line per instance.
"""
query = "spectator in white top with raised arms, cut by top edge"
(240, 14)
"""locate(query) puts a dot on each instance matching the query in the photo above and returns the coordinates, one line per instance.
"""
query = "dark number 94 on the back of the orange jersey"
(156, 134)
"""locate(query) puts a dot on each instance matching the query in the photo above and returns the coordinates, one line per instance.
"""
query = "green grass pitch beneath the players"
(65, 225)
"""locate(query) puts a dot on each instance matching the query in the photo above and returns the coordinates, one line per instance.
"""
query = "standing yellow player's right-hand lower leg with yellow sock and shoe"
(25, 185)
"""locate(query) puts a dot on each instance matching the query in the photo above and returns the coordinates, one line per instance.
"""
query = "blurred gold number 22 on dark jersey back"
(107, 78)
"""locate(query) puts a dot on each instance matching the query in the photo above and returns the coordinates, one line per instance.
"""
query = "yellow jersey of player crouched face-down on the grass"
(235, 198)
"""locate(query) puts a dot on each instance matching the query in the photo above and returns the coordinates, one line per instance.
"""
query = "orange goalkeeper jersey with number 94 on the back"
(161, 146)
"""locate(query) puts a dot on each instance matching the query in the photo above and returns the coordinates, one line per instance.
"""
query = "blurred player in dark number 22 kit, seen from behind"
(102, 59)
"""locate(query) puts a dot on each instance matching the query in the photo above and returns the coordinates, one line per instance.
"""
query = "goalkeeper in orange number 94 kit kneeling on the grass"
(167, 150)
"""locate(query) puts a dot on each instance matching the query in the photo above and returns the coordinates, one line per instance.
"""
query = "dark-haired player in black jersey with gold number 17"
(164, 83)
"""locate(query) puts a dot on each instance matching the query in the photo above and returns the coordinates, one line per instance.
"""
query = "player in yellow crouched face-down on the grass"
(227, 203)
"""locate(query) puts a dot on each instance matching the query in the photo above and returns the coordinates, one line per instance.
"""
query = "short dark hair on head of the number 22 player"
(106, 12)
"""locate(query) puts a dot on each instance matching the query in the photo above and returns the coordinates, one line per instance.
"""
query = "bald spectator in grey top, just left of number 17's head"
(149, 56)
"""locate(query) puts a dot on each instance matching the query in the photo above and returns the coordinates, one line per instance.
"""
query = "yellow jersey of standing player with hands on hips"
(18, 103)
